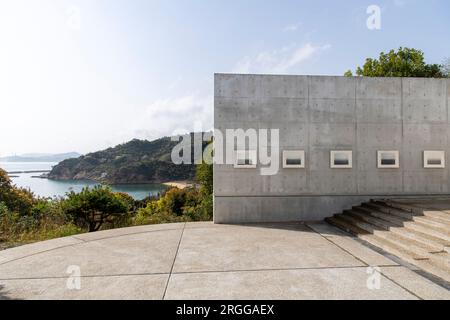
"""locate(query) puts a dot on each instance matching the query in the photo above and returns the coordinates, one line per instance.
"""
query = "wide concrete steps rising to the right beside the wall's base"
(416, 235)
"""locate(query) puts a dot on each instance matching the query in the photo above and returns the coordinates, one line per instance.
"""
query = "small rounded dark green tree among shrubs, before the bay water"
(93, 207)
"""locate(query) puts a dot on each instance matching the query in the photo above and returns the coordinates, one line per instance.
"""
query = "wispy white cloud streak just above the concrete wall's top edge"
(279, 61)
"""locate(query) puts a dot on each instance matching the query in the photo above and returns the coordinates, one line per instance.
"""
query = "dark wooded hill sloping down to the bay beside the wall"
(138, 161)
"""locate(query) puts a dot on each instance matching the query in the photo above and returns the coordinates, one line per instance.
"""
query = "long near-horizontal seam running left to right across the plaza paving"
(199, 272)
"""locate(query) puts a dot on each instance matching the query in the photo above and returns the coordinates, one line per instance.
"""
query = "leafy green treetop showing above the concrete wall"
(406, 62)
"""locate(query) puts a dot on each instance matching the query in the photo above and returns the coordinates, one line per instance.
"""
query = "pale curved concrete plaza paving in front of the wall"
(207, 261)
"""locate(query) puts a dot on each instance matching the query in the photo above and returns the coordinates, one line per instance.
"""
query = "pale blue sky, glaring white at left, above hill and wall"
(90, 74)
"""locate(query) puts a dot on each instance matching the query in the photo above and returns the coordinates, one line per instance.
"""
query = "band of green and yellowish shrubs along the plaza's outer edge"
(25, 218)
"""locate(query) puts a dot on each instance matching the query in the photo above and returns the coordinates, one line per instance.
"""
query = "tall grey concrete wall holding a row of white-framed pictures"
(318, 114)
